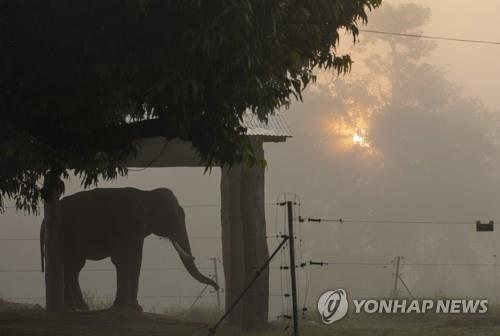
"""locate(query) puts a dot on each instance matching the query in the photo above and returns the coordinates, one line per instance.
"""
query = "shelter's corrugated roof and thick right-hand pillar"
(243, 223)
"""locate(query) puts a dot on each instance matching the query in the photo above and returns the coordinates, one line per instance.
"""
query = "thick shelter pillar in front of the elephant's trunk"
(244, 244)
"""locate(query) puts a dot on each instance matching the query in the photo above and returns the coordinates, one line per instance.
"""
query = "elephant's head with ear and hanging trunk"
(161, 214)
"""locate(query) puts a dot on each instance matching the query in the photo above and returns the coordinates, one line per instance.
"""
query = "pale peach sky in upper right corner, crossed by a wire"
(474, 66)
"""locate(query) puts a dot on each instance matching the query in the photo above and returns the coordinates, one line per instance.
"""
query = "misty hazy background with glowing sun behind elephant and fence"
(411, 134)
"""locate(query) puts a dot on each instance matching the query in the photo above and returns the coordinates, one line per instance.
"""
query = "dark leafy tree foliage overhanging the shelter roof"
(81, 82)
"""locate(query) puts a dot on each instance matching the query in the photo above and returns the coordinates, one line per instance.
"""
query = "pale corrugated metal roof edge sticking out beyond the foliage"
(275, 127)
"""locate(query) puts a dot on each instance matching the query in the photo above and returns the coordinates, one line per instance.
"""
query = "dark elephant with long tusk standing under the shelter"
(113, 222)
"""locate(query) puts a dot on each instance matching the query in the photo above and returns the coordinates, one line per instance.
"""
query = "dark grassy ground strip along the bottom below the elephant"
(16, 319)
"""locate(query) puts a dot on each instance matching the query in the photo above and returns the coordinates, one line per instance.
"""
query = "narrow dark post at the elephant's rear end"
(54, 266)
